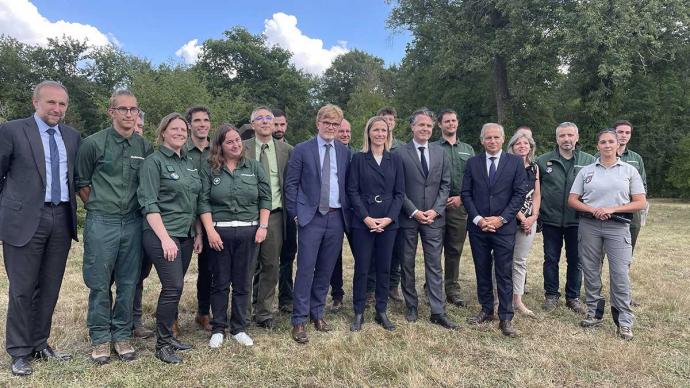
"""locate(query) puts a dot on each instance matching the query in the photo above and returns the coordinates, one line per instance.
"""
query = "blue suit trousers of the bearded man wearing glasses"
(318, 247)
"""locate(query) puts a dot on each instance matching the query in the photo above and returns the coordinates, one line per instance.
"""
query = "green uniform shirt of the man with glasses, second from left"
(109, 164)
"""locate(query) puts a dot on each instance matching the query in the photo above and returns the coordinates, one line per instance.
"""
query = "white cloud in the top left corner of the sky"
(21, 20)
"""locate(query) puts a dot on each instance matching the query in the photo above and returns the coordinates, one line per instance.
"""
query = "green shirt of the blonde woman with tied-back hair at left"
(170, 185)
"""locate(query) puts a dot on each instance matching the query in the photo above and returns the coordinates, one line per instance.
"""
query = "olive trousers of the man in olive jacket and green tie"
(267, 269)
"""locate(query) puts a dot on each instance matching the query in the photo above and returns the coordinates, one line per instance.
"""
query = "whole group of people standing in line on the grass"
(246, 207)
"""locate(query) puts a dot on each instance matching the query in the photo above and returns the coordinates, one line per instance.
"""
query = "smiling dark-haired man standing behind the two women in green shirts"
(197, 148)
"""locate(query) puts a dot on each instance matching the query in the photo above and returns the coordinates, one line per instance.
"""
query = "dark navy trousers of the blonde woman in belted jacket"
(373, 250)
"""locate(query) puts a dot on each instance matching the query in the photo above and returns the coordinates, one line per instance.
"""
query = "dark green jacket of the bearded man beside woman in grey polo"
(555, 187)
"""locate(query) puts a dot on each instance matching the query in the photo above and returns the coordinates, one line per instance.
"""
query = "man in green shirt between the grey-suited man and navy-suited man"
(456, 216)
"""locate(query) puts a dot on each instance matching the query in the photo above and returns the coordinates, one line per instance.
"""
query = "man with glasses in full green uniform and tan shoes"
(108, 166)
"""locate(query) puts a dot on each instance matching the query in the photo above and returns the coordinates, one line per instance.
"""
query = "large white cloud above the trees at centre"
(308, 53)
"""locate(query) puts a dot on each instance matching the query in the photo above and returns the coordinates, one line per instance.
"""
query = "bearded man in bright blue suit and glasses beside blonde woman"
(315, 198)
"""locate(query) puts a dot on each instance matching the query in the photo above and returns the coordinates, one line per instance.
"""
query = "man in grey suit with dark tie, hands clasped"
(427, 184)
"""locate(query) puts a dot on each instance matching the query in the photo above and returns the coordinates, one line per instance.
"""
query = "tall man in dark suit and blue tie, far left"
(37, 221)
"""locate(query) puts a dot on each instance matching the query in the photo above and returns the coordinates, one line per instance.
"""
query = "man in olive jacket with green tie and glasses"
(273, 156)
